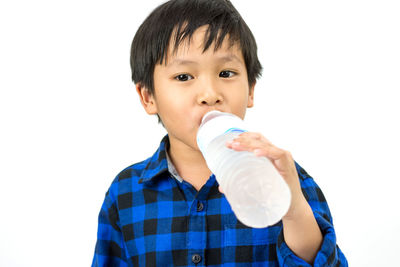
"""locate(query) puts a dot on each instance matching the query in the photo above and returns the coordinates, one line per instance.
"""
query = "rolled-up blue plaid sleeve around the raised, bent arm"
(329, 253)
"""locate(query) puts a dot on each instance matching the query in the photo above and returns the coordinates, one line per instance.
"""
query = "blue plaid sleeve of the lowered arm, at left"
(110, 247)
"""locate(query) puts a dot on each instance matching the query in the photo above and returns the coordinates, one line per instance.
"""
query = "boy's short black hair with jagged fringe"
(182, 18)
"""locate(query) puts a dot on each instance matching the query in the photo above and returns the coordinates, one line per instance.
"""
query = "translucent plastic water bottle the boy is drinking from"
(257, 193)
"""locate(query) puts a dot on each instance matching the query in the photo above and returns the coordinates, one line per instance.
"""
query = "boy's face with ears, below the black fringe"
(193, 83)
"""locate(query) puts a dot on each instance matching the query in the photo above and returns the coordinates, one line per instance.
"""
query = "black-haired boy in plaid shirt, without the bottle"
(187, 58)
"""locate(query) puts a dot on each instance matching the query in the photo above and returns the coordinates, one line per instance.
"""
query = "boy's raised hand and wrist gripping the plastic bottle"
(283, 162)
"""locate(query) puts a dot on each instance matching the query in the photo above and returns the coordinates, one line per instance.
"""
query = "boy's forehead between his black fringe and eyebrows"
(196, 44)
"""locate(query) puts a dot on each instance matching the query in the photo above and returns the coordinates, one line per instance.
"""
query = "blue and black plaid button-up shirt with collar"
(151, 217)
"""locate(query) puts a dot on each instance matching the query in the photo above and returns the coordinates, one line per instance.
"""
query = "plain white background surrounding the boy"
(71, 119)
